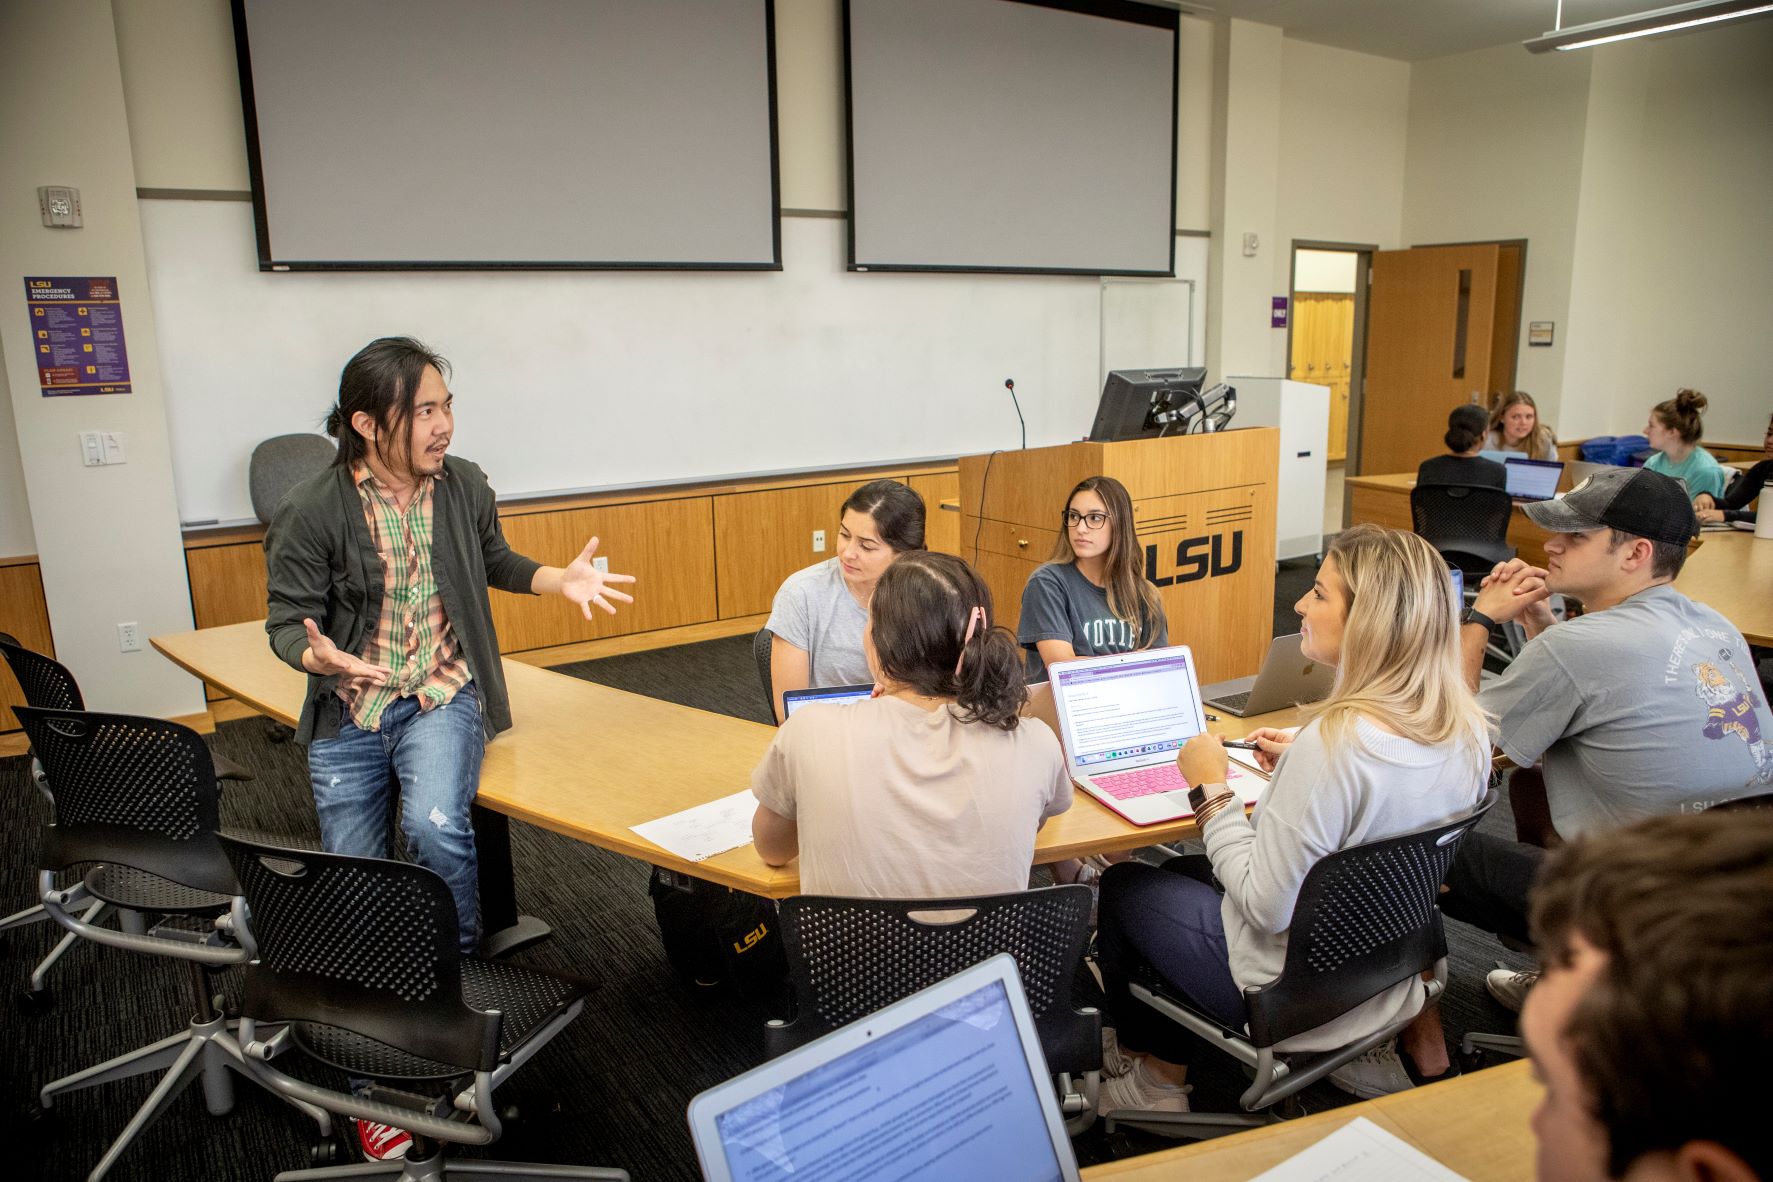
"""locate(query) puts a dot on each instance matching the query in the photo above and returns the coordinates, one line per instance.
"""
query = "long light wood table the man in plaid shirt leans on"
(591, 763)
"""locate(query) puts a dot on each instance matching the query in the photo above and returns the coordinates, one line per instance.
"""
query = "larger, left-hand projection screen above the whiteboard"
(524, 134)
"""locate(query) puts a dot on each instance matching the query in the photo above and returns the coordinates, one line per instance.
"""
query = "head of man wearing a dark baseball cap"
(1614, 534)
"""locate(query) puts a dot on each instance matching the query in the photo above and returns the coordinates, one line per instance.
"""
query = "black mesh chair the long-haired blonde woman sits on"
(1366, 921)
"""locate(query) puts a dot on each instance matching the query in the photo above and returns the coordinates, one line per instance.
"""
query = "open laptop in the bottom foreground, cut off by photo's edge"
(948, 1084)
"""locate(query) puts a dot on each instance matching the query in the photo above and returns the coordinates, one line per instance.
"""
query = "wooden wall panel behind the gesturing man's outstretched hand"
(668, 547)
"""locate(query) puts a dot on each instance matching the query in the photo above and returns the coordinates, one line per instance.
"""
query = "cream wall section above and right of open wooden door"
(1496, 153)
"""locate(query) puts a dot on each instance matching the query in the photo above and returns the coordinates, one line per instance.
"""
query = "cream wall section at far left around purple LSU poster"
(107, 538)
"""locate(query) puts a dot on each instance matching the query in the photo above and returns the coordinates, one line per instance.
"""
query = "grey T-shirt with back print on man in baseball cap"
(1646, 708)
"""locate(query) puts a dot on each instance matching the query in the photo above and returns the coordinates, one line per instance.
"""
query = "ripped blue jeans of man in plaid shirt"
(435, 756)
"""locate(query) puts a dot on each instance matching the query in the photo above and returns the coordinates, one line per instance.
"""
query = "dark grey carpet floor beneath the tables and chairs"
(611, 1091)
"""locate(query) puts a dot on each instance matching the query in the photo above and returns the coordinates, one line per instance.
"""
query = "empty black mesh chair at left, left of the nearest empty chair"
(137, 797)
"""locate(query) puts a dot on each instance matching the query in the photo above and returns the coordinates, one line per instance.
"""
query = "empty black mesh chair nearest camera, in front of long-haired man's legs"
(361, 958)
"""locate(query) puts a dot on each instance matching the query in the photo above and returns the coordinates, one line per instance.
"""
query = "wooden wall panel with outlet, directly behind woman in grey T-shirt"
(763, 538)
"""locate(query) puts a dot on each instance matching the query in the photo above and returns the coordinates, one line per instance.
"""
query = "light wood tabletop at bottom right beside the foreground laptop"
(1476, 1126)
